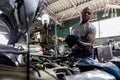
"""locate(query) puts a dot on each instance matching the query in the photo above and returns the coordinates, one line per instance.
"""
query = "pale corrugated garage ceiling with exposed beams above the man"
(62, 10)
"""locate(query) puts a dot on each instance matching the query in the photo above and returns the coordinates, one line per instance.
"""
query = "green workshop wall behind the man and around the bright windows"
(63, 31)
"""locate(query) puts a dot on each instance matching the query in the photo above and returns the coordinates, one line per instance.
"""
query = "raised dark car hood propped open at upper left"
(16, 15)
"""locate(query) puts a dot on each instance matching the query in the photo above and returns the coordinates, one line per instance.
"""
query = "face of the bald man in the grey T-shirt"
(86, 15)
